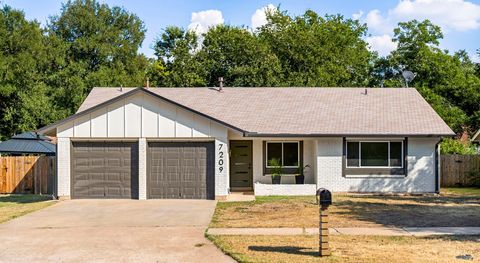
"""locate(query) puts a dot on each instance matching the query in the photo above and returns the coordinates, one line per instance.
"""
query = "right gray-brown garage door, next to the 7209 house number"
(180, 170)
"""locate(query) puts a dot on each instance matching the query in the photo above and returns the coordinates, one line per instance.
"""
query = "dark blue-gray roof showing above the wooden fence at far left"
(29, 143)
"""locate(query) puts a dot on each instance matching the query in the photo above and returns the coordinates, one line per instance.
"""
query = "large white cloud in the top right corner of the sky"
(458, 15)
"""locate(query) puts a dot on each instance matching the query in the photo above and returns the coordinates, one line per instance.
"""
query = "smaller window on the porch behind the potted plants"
(286, 152)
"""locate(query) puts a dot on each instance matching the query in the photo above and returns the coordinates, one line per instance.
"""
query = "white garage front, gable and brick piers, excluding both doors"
(143, 117)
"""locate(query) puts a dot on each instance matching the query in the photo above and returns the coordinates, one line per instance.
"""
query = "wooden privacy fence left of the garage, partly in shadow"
(27, 174)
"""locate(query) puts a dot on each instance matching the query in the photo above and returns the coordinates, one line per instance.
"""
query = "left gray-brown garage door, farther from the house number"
(104, 170)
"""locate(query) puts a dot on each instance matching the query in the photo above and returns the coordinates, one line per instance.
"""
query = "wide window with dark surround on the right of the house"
(374, 154)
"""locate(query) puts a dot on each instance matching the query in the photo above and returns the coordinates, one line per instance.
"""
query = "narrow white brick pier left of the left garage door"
(63, 167)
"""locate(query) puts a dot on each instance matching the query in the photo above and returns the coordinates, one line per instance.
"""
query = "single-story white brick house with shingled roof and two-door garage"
(203, 143)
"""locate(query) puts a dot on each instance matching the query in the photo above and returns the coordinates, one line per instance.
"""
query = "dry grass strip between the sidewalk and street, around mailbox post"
(351, 248)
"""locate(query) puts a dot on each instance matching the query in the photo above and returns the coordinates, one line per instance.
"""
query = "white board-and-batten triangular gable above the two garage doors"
(141, 115)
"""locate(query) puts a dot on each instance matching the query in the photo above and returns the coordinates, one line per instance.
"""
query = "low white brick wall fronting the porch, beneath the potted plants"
(284, 189)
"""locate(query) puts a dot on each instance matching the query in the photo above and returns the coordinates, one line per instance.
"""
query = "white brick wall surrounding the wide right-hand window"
(421, 169)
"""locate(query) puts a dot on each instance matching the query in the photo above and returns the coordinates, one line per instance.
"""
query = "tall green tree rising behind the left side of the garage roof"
(99, 47)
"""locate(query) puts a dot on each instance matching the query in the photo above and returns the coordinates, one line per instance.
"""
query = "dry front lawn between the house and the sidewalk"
(453, 208)
